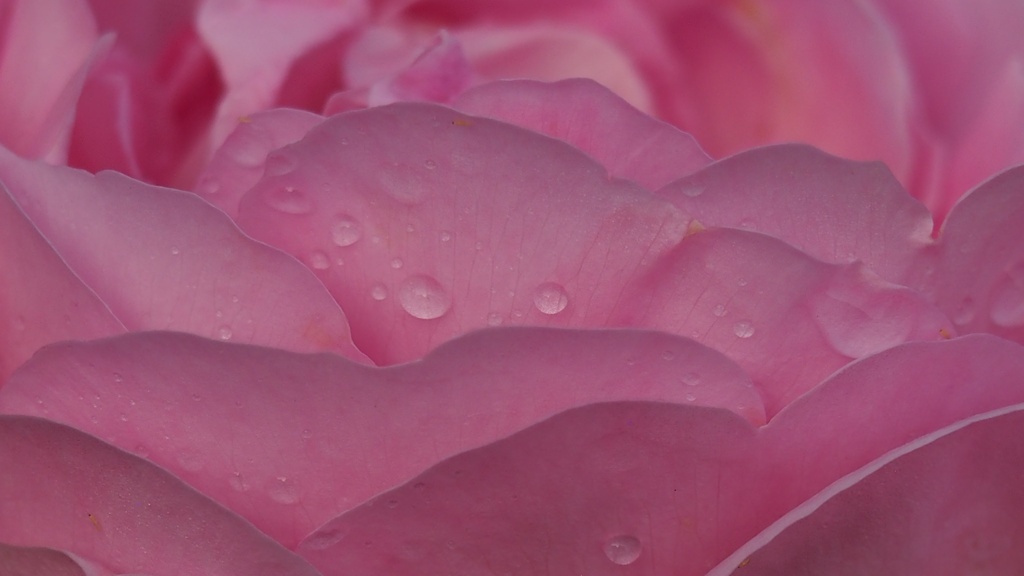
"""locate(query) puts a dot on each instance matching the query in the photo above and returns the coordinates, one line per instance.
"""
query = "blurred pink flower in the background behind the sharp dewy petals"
(932, 90)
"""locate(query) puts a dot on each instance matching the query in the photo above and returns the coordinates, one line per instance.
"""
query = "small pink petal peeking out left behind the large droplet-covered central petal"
(241, 161)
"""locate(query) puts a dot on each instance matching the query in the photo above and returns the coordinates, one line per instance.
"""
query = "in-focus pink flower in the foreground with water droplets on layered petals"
(533, 331)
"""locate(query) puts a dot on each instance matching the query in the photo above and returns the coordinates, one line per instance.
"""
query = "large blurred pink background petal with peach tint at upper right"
(831, 74)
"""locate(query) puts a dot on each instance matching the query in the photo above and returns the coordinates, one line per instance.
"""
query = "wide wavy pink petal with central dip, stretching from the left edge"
(292, 441)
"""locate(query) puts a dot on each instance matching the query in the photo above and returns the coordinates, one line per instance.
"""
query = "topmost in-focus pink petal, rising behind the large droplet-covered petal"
(630, 144)
